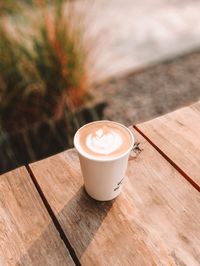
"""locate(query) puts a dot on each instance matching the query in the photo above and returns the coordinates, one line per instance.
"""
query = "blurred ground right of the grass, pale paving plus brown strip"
(135, 37)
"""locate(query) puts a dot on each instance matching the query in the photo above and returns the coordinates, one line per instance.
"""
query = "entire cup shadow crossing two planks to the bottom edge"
(80, 219)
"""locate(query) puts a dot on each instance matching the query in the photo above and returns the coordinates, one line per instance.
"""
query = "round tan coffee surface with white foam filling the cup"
(103, 140)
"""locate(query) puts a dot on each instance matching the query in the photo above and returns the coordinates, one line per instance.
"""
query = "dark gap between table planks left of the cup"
(54, 219)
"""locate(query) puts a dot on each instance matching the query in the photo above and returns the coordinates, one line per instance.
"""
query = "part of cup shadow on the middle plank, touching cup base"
(80, 219)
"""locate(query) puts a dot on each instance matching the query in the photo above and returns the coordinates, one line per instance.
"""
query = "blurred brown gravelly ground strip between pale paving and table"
(157, 90)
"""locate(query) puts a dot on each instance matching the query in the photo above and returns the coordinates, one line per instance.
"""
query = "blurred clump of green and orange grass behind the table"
(42, 64)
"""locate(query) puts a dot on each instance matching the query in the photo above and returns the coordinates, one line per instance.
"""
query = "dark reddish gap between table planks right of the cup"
(186, 176)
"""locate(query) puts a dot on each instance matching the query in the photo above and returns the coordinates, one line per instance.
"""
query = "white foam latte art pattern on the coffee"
(103, 143)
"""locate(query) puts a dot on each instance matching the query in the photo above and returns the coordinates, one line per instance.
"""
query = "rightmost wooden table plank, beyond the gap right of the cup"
(177, 135)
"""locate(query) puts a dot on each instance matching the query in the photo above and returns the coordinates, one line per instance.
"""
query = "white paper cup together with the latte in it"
(103, 148)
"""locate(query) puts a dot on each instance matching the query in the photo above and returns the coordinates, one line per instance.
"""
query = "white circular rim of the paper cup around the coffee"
(104, 159)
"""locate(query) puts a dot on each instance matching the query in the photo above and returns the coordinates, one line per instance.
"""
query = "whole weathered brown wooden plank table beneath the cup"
(46, 218)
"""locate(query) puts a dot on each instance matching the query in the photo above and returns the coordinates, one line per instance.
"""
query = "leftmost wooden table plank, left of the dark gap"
(27, 234)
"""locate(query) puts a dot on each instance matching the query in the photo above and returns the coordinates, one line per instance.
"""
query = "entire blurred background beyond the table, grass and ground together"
(66, 63)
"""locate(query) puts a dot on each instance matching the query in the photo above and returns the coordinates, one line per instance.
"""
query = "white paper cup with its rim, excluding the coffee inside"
(103, 177)
